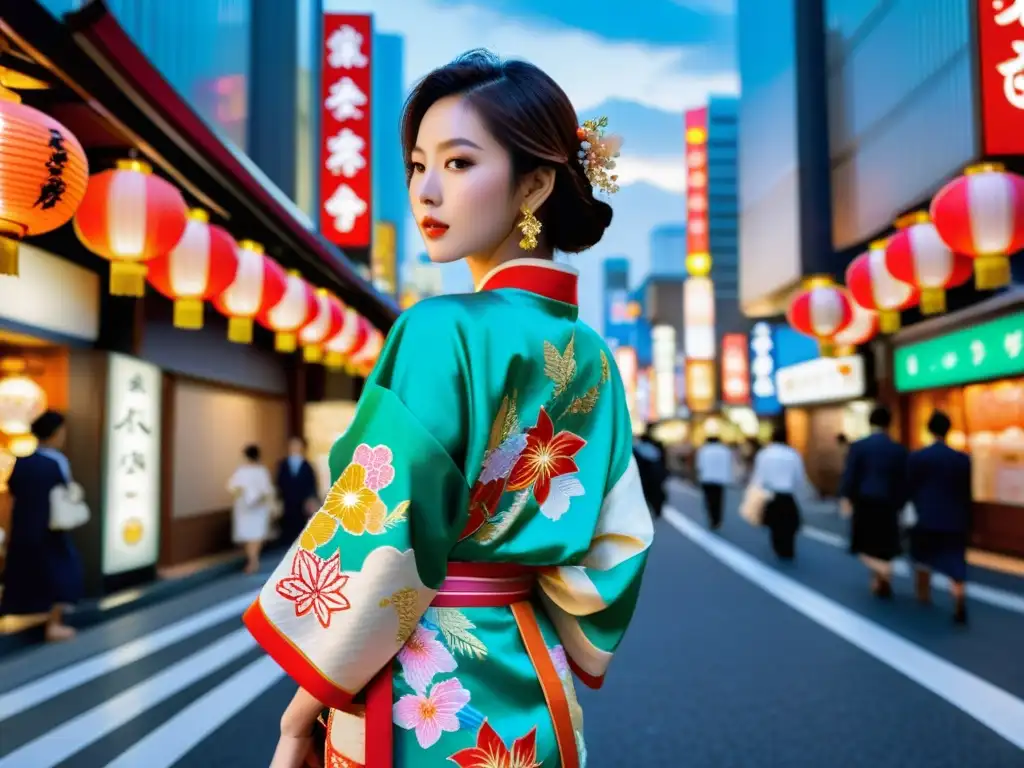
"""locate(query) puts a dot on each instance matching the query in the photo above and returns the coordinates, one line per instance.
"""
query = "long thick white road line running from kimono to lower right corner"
(988, 704)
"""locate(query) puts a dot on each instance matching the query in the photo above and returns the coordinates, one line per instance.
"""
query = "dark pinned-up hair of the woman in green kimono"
(531, 116)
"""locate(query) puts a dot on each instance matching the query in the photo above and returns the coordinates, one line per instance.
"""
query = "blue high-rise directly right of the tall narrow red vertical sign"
(723, 210)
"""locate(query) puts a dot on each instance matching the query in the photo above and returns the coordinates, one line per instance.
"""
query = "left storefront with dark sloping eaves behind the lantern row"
(158, 415)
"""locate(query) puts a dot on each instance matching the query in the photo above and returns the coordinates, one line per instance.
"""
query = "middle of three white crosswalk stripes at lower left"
(74, 736)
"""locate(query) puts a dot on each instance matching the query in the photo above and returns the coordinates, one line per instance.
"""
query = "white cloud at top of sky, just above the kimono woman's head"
(590, 69)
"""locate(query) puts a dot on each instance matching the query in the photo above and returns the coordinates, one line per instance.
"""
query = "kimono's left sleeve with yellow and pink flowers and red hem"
(368, 565)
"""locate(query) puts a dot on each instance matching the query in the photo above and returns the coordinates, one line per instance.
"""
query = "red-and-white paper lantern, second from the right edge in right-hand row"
(918, 255)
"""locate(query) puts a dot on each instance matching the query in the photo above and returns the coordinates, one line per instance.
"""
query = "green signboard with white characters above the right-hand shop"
(989, 351)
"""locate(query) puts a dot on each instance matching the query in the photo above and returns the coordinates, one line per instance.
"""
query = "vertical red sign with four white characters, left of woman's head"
(347, 186)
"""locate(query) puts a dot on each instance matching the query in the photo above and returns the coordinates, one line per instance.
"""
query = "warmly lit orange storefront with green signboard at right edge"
(971, 366)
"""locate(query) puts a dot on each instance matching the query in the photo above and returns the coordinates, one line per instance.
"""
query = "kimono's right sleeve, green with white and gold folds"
(591, 605)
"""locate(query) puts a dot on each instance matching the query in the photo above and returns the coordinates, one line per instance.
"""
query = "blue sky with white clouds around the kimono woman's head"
(643, 68)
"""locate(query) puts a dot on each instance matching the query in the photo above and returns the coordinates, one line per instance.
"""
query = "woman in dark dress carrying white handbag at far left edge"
(45, 572)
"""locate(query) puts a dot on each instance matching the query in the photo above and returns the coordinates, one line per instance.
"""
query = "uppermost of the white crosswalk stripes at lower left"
(31, 695)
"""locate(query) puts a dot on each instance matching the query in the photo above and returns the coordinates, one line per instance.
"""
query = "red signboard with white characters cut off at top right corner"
(1001, 63)
